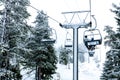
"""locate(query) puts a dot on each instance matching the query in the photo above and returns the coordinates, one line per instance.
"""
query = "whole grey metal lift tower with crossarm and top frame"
(75, 27)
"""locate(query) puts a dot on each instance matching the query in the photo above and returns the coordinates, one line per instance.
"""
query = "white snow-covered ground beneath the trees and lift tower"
(87, 71)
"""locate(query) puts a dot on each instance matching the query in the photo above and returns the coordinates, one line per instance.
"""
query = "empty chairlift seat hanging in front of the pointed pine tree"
(52, 38)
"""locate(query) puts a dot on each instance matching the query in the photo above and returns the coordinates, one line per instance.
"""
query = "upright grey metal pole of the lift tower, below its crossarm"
(75, 53)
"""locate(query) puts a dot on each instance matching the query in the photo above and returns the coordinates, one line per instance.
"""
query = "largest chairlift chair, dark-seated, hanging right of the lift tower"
(91, 39)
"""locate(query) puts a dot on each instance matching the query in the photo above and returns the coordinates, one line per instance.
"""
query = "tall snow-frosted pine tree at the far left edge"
(13, 31)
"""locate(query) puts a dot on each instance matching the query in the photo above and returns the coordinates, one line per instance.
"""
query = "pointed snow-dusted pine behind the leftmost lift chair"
(43, 56)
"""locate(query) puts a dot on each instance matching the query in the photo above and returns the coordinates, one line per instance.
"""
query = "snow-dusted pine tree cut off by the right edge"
(111, 70)
